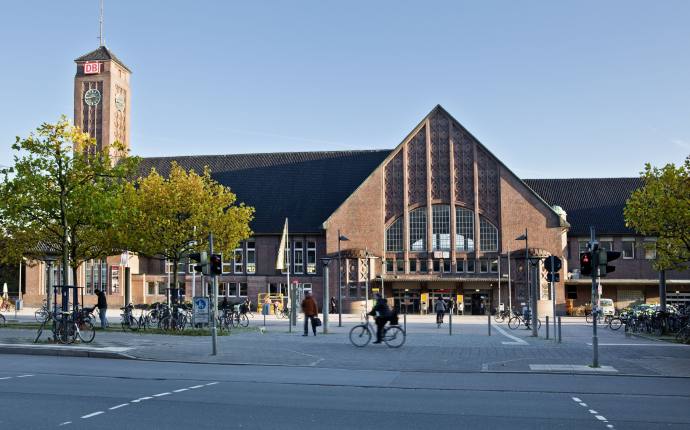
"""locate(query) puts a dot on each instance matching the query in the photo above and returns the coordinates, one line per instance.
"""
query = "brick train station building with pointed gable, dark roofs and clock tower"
(438, 215)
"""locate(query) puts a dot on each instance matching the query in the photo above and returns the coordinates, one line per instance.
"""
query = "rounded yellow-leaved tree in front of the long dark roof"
(169, 217)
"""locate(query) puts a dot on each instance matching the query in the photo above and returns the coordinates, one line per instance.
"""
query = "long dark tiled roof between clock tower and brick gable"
(306, 187)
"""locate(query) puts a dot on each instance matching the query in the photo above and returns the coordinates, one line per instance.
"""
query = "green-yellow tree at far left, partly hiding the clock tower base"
(61, 195)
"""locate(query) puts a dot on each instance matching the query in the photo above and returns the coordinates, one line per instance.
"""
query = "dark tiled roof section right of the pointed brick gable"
(589, 201)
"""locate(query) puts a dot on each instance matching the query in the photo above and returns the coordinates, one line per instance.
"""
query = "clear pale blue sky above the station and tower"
(554, 89)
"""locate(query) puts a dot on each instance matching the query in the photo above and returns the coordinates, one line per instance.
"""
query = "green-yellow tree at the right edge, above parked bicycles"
(661, 208)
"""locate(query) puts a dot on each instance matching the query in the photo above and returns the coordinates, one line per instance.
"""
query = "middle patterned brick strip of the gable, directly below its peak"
(440, 157)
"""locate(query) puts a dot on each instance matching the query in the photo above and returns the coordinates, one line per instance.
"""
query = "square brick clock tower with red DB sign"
(102, 98)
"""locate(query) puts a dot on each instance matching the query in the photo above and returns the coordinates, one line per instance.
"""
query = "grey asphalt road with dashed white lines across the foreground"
(60, 392)
